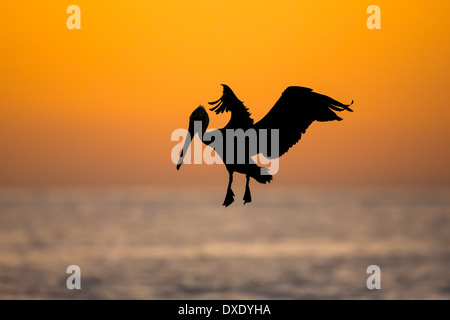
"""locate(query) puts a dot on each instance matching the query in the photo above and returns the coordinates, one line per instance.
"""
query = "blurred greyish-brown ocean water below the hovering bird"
(162, 243)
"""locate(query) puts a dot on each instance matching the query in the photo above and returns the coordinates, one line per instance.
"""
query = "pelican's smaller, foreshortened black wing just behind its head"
(230, 103)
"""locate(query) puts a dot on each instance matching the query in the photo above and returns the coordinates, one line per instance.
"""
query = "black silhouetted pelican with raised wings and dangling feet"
(292, 114)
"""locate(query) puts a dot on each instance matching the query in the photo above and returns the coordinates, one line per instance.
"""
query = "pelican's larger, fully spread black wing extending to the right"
(294, 112)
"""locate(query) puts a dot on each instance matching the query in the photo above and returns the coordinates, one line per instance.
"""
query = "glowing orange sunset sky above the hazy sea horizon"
(98, 105)
